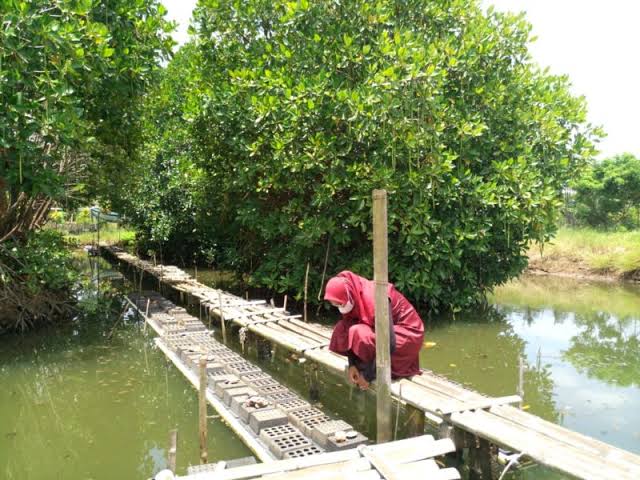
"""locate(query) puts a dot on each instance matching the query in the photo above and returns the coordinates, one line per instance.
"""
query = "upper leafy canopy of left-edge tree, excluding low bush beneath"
(70, 76)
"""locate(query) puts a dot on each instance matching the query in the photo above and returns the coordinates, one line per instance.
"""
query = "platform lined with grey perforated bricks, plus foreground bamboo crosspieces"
(288, 429)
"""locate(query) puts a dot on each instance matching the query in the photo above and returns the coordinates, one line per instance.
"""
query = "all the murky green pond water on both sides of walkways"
(75, 404)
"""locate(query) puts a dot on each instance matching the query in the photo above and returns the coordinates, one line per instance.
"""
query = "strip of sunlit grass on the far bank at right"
(616, 253)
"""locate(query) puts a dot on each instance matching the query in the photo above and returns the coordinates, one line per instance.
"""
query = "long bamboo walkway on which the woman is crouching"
(455, 408)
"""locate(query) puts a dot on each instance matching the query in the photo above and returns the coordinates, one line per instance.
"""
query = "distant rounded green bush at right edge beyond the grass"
(608, 193)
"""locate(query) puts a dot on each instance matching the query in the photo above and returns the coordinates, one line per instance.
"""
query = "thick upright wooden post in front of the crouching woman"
(383, 353)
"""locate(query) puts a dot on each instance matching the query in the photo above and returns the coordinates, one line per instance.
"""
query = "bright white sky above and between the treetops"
(595, 42)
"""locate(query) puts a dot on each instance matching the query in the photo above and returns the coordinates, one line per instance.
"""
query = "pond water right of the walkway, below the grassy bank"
(580, 342)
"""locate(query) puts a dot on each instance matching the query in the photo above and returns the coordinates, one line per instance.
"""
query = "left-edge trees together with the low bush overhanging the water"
(71, 77)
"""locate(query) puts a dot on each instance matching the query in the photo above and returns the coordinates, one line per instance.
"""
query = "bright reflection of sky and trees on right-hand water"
(585, 335)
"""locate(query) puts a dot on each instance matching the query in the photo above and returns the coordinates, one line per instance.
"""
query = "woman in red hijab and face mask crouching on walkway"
(354, 335)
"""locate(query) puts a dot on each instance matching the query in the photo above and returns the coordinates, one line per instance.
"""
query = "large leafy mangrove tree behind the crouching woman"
(295, 111)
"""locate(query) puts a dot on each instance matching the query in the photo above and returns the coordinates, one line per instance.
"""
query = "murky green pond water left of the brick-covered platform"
(75, 404)
